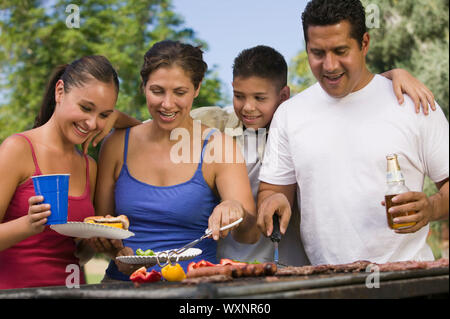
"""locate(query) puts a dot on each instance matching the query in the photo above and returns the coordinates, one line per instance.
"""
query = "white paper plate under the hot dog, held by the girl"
(88, 230)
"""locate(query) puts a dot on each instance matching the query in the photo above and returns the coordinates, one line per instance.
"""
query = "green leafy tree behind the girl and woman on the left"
(35, 37)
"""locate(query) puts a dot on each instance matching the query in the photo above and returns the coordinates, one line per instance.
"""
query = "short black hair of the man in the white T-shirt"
(329, 12)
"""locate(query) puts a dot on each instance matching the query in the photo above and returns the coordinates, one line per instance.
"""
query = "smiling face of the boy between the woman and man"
(256, 99)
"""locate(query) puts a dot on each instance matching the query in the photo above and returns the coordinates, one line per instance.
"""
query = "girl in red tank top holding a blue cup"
(79, 100)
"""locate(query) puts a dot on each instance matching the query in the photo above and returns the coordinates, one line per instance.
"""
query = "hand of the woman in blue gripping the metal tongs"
(224, 214)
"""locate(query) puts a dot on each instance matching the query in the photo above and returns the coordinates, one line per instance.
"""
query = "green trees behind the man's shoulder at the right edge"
(413, 35)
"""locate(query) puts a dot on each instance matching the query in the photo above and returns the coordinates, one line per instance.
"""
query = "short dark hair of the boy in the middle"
(261, 61)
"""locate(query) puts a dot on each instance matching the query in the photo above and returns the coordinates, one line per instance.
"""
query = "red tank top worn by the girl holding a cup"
(41, 260)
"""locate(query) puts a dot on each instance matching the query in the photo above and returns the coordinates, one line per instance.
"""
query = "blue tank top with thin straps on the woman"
(165, 217)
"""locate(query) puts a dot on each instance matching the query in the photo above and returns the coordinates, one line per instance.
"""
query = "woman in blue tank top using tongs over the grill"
(172, 177)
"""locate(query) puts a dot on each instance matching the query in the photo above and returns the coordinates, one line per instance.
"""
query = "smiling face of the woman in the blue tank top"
(169, 92)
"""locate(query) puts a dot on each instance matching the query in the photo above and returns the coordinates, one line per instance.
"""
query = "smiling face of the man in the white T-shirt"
(337, 60)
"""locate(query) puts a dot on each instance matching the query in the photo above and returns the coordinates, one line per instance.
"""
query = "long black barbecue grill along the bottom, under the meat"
(396, 284)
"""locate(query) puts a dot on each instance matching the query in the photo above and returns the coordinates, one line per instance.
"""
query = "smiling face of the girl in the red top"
(82, 110)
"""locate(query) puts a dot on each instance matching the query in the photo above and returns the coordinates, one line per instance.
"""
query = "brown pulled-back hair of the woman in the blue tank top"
(168, 53)
